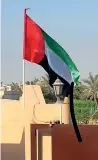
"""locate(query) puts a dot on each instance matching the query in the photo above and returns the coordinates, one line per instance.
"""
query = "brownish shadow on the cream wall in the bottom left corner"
(13, 151)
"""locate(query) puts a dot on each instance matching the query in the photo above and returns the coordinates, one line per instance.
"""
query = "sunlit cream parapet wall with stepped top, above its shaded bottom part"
(15, 115)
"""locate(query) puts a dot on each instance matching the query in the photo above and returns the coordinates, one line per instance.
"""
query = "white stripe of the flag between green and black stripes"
(57, 65)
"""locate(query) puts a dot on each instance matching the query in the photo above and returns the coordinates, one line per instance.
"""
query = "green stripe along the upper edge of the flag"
(58, 50)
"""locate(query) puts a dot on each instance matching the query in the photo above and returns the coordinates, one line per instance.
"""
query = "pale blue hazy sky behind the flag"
(72, 23)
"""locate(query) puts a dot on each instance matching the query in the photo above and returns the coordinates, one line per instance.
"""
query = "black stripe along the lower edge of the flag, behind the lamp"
(53, 76)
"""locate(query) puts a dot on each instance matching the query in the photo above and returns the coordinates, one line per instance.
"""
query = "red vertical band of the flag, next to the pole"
(33, 41)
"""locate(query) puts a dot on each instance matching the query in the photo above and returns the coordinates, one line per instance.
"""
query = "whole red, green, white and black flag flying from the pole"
(40, 48)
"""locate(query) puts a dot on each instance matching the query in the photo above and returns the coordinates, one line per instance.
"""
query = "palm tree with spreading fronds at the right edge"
(91, 89)
